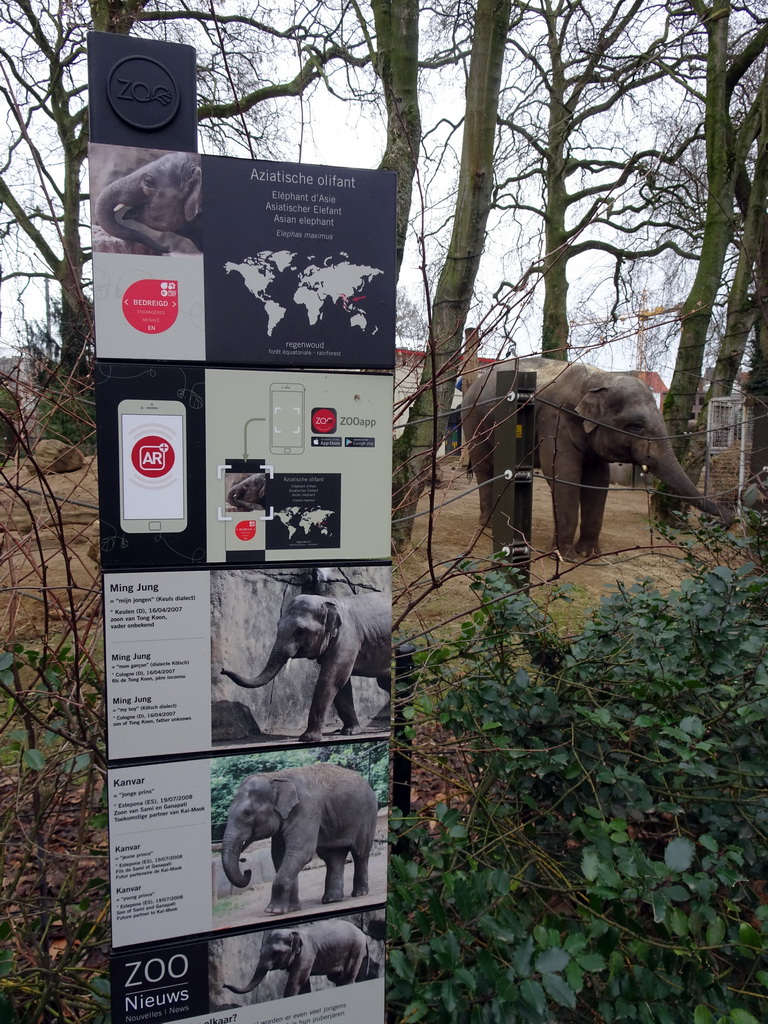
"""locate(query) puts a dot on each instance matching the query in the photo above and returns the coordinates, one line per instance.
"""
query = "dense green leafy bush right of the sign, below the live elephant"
(603, 854)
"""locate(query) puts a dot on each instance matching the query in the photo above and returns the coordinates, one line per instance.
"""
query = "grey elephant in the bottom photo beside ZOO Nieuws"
(333, 949)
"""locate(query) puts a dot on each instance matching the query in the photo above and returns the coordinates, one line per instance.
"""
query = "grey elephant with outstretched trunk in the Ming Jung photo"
(348, 636)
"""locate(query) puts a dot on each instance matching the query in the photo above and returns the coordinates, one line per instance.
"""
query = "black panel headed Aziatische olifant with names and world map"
(300, 265)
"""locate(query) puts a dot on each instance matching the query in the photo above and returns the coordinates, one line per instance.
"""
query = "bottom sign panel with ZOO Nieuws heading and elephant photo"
(302, 973)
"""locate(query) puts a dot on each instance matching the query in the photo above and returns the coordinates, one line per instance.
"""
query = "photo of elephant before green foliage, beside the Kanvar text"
(292, 840)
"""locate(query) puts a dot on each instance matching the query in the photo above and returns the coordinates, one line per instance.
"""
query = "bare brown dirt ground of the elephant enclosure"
(631, 550)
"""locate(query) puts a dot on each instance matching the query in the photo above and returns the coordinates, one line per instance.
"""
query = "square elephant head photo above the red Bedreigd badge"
(147, 202)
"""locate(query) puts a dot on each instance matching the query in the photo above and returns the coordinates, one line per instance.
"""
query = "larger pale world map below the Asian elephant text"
(280, 279)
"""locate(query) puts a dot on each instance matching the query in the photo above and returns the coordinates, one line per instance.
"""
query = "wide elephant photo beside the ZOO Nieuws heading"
(295, 960)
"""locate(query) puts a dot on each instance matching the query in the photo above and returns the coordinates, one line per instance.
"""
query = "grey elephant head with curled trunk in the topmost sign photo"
(165, 195)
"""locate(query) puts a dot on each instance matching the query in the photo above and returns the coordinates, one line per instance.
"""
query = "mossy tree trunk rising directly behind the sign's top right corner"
(398, 67)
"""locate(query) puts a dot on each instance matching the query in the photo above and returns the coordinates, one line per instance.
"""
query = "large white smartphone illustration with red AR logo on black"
(153, 466)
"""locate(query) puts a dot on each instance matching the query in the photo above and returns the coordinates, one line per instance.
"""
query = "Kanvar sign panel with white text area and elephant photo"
(180, 841)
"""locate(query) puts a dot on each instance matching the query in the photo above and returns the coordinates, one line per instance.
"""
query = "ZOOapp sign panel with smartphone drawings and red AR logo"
(203, 466)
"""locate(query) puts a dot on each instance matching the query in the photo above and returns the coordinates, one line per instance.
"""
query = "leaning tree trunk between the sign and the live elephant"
(416, 449)
